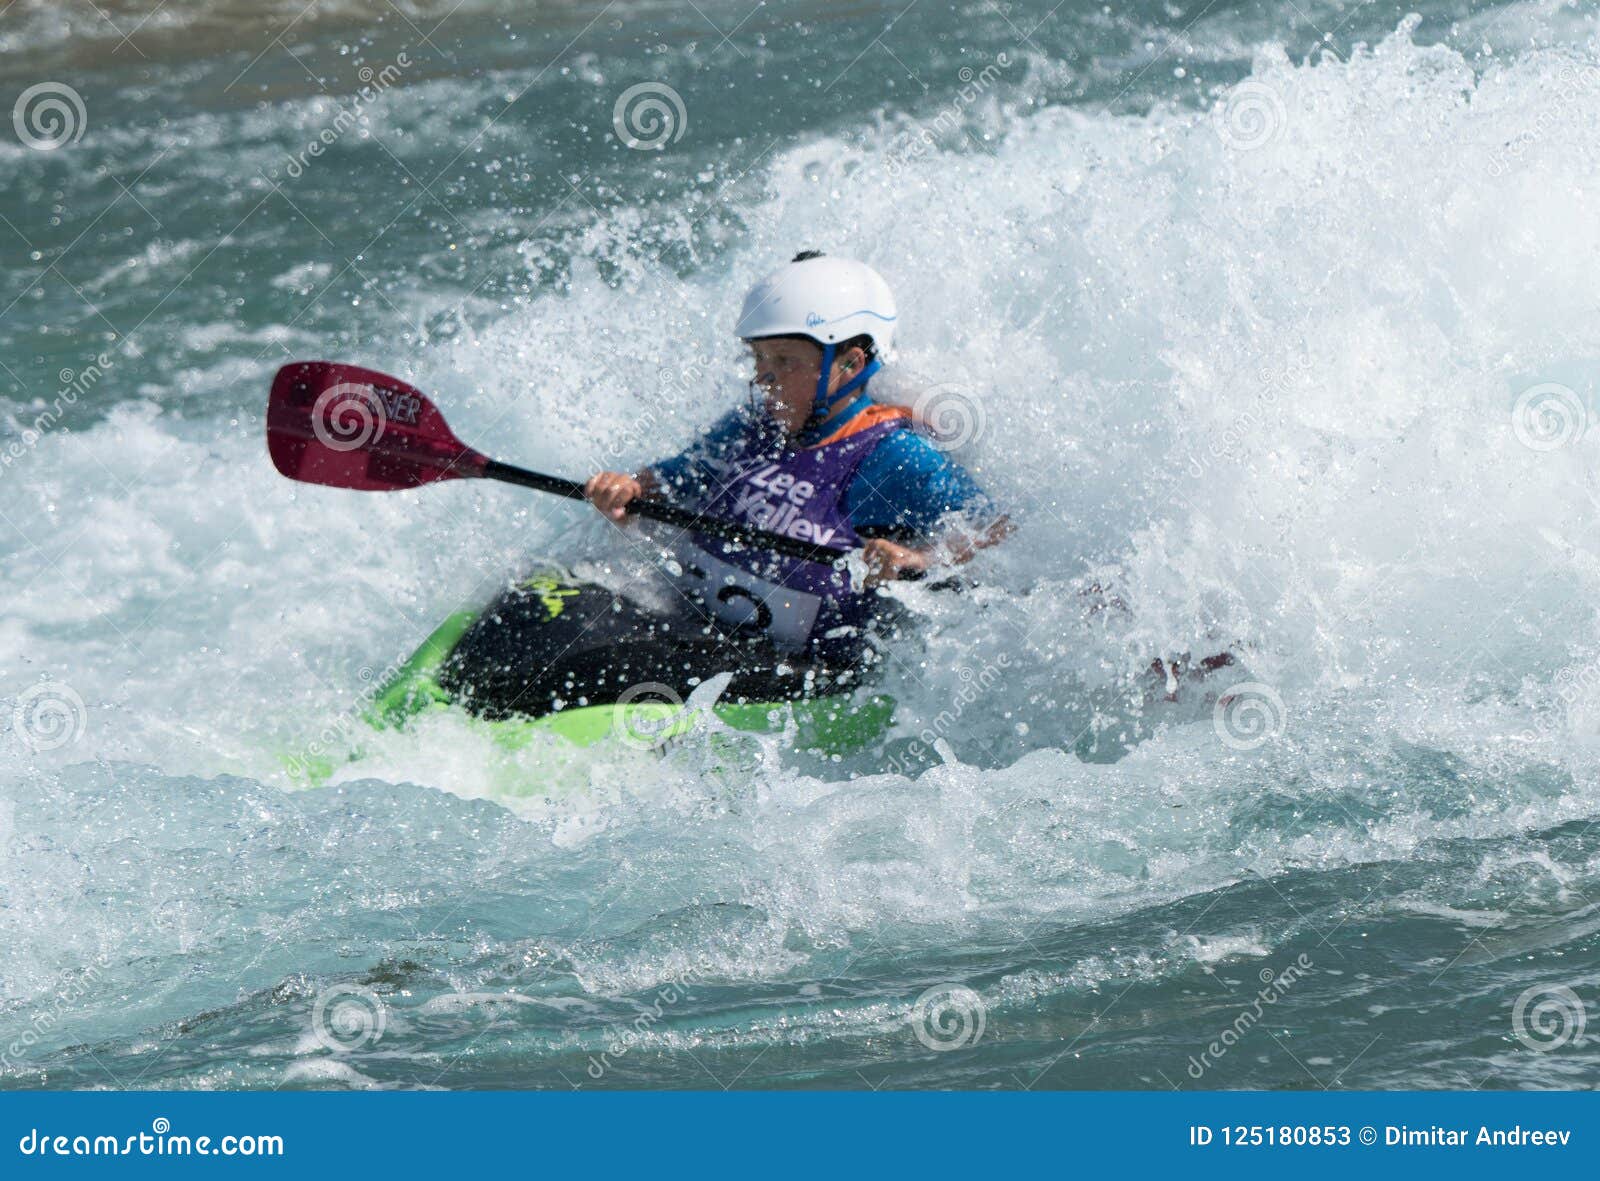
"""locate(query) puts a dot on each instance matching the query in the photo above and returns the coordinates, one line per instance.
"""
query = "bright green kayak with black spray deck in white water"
(562, 659)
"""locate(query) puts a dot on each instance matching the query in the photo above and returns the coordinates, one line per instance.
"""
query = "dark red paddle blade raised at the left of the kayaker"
(353, 428)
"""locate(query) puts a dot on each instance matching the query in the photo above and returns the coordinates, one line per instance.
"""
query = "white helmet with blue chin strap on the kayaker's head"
(831, 300)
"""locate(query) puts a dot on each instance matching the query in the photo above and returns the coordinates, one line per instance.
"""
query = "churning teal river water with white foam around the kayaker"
(1278, 319)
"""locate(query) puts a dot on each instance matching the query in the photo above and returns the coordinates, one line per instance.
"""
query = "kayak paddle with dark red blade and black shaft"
(351, 428)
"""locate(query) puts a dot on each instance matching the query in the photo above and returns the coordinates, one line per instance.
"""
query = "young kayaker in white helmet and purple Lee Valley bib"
(814, 457)
